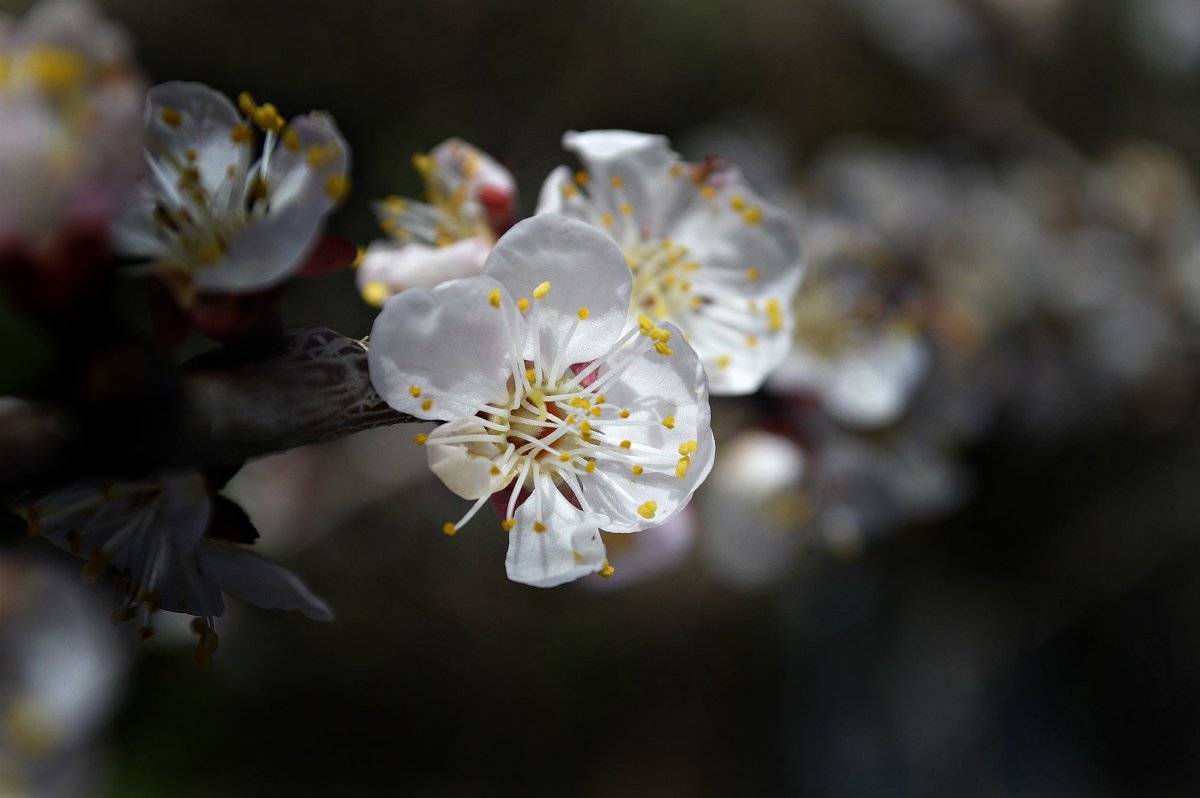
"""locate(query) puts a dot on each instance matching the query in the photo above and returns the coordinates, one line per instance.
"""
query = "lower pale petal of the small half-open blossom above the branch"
(416, 266)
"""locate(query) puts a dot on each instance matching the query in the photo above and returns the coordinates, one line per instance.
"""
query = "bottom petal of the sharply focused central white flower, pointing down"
(571, 547)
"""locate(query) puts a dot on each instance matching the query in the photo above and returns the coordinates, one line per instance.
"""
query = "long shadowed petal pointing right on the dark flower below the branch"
(248, 577)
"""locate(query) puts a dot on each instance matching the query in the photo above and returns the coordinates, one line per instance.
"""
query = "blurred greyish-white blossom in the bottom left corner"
(63, 674)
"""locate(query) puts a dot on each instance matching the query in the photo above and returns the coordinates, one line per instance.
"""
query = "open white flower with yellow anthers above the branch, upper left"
(213, 214)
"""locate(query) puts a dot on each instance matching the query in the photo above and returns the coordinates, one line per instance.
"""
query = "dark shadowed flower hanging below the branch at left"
(173, 547)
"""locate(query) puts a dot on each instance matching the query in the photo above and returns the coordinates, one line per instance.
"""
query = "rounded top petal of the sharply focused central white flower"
(585, 271)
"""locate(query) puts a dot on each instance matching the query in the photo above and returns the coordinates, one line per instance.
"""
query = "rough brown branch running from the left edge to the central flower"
(315, 388)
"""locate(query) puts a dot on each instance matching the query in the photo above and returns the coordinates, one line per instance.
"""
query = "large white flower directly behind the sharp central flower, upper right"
(706, 253)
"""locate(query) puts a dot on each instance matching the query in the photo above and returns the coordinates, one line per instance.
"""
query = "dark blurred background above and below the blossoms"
(1039, 641)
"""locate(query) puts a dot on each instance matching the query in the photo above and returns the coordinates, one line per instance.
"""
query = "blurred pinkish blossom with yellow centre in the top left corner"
(70, 125)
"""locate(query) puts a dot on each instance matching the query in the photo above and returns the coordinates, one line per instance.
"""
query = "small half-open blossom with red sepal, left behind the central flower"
(471, 201)
